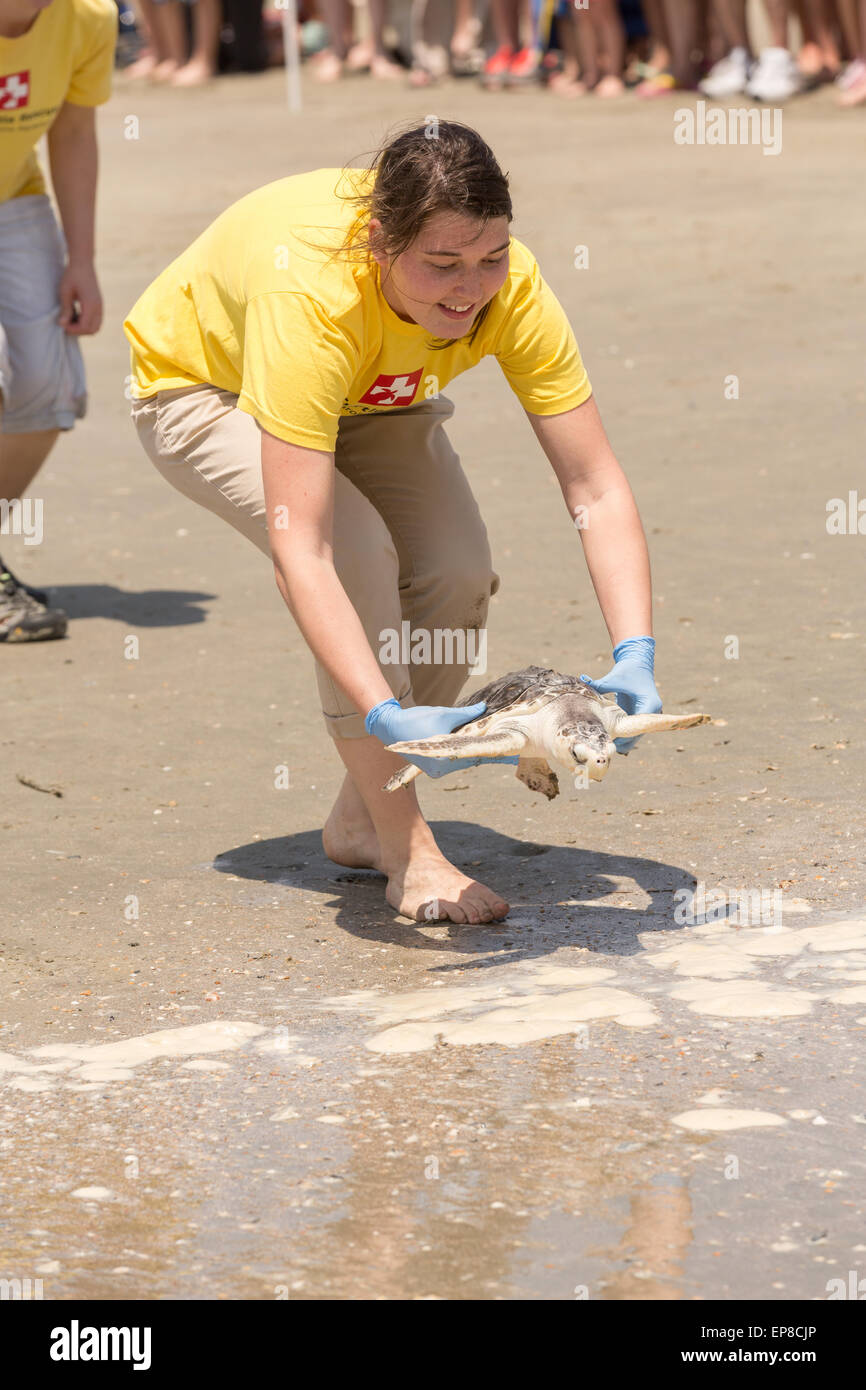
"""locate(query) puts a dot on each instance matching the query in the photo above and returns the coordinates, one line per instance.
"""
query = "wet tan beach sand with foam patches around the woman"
(375, 1109)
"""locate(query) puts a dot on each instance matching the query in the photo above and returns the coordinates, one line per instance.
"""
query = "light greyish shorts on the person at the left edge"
(42, 372)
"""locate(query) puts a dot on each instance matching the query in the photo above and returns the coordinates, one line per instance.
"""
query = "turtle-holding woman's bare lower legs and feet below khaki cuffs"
(386, 831)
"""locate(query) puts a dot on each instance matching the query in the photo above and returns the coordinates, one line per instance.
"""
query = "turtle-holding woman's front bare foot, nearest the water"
(430, 889)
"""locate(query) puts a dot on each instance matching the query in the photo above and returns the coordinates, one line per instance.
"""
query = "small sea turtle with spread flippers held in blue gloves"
(543, 718)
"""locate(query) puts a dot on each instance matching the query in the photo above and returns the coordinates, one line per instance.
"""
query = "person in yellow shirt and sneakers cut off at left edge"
(56, 63)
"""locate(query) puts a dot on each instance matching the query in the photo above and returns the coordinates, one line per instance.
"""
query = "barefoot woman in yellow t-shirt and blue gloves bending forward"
(287, 375)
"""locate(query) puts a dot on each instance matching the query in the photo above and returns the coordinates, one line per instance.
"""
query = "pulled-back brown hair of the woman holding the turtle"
(437, 167)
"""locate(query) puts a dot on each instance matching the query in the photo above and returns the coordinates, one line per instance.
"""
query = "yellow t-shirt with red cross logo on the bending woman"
(254, 309)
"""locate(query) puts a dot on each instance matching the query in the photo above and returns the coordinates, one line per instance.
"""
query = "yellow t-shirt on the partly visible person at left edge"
(67, 55)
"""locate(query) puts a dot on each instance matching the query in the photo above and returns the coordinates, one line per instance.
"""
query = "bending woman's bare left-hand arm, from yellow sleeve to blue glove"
(300, 501)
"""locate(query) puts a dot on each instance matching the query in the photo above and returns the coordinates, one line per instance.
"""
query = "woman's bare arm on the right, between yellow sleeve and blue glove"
(610, 523)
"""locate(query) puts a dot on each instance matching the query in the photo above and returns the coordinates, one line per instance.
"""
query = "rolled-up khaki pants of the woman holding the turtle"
(409, 543)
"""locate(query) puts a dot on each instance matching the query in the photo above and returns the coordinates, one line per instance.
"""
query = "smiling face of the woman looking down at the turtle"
(448, 275)
